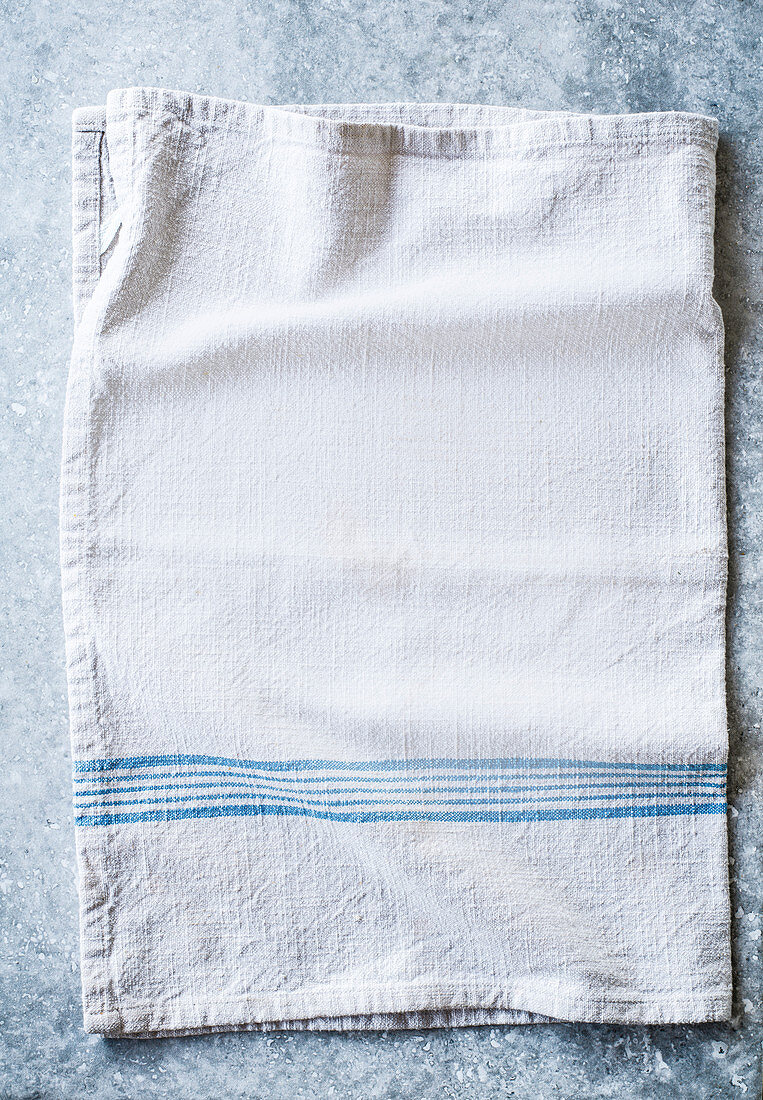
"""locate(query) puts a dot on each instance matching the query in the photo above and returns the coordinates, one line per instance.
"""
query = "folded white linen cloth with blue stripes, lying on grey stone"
(394, 562)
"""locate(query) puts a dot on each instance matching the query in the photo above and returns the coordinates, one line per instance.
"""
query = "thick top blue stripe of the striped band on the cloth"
(180, 760)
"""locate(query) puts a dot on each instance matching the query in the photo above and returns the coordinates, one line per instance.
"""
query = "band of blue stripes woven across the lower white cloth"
(514, 789)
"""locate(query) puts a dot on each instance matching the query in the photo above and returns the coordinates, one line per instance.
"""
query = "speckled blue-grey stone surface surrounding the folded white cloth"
(593, 56)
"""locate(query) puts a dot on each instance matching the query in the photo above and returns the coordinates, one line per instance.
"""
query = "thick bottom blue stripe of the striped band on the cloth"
(581, 813)
